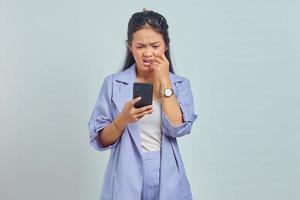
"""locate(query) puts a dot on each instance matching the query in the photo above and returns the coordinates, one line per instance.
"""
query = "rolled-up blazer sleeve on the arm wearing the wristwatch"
(186, 103)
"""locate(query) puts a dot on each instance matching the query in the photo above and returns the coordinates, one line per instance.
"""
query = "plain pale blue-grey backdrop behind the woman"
(242, 58)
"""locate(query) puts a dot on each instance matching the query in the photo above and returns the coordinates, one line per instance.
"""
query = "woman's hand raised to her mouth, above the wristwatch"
(161, 66)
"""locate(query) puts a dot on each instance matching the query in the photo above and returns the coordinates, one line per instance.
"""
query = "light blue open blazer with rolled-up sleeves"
(124, 176)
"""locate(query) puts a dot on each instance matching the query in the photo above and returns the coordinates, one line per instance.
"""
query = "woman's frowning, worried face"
(145, 43)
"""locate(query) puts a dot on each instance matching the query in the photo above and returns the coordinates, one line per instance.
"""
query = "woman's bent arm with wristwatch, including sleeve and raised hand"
(177, 113)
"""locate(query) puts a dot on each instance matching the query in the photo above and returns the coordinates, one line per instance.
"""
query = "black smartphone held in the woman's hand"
(144, 90)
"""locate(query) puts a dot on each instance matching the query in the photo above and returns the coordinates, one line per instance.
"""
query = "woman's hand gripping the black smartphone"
(131, 114)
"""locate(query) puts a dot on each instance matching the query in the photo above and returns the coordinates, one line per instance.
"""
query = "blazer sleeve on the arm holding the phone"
(102, 114)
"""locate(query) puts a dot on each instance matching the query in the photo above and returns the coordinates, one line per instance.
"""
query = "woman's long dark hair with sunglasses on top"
(157, 22)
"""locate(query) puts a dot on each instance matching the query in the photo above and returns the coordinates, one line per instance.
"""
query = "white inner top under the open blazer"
(150, 127)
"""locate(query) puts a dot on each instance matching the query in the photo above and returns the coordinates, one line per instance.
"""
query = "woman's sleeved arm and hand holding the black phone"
(105, 131)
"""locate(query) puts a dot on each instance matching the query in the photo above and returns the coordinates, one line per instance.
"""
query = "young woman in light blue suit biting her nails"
(145, 161)
